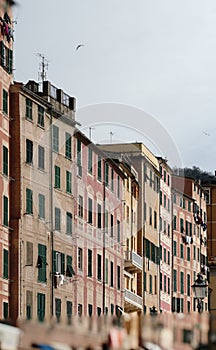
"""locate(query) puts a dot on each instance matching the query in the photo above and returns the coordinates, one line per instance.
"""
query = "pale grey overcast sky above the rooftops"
(146, 72)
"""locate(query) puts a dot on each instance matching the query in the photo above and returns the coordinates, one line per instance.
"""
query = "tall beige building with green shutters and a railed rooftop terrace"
(41, 209)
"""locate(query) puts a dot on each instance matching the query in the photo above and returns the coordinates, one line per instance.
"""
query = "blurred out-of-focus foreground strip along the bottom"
(130, 331)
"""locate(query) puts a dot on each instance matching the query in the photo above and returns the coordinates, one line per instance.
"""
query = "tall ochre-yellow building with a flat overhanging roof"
(148, 240)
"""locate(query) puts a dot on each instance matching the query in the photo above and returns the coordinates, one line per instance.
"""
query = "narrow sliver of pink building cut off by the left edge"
(6, 77)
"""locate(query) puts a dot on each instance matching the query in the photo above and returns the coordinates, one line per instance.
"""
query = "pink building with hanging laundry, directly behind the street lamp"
(189, 242)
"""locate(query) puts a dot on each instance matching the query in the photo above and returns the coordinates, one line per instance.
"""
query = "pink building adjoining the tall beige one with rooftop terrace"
(98, 249)
